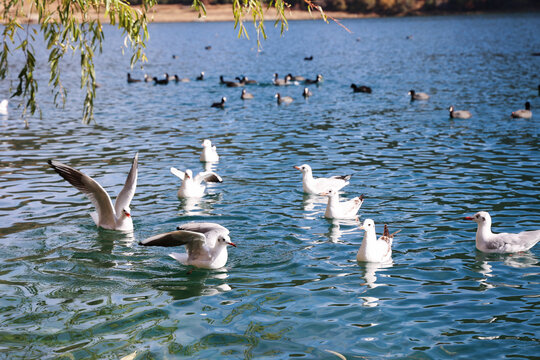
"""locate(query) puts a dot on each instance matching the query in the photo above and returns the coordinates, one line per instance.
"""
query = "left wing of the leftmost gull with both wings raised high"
(97, 195)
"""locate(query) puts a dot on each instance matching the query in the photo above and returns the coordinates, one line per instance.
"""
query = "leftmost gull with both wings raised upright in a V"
(107, 216)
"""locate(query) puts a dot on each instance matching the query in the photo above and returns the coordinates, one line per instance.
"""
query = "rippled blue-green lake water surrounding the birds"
(292, 288)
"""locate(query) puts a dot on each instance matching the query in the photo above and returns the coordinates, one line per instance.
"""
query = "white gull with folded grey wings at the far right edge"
(489, 242)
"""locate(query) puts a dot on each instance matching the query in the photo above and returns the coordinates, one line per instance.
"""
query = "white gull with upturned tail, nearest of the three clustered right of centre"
(373, 249)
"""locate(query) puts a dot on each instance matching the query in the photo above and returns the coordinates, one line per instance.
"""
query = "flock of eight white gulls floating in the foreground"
(206, 243)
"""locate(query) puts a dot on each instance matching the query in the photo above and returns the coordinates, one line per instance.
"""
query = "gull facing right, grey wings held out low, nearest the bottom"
(206, 244)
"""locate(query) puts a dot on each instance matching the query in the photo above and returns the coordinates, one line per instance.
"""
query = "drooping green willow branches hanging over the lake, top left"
(75, 26)
